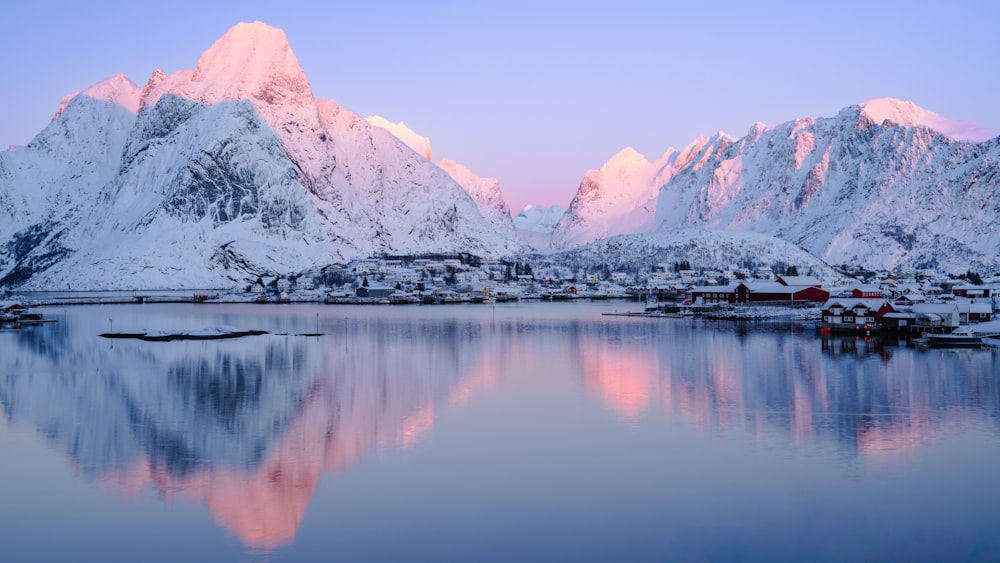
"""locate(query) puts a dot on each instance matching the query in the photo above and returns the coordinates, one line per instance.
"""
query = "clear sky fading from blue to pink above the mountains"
(536, 93)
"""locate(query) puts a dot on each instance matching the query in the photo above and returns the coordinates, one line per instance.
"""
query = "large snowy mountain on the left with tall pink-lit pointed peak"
(226, 172)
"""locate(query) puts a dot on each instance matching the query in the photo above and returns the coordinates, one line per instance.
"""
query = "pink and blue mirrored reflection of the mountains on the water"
(249, 427)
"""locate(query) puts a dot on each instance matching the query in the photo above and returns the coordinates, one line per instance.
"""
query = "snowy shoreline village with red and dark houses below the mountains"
(910, 303)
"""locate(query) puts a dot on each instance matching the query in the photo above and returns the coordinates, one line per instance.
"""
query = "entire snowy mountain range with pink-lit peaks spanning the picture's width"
(214, 176)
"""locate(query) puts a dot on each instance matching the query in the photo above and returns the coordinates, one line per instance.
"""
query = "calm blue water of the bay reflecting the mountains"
(528, 432)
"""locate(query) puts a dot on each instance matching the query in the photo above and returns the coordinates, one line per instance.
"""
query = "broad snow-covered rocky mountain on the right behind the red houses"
(883, 184)
